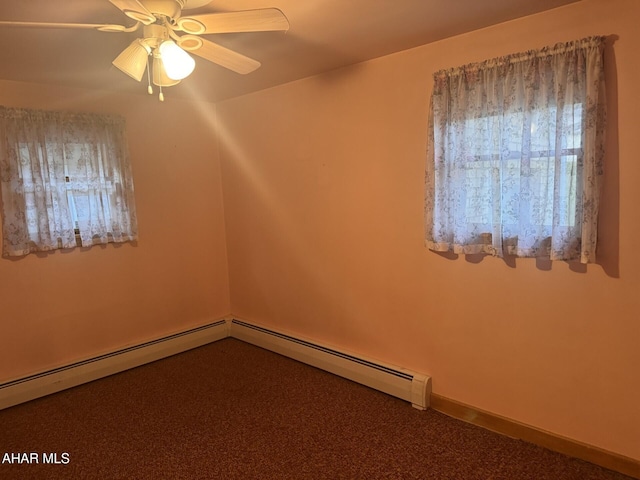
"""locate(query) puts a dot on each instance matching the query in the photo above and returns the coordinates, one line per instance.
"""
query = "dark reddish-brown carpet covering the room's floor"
(230, 410)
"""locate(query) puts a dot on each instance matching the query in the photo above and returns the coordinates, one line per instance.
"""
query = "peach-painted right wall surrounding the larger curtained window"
(323, 191)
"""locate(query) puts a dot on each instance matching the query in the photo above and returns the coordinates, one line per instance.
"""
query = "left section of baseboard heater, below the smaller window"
(55, 380)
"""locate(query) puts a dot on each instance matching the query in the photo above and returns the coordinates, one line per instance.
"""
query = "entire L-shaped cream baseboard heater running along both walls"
(407, 385)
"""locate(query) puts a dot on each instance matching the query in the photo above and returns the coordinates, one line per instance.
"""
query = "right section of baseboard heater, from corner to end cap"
(410, 386)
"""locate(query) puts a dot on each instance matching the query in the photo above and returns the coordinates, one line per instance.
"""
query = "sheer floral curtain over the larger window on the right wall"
(515, 154)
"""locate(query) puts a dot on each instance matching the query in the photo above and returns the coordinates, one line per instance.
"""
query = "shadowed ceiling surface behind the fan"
(324, 35)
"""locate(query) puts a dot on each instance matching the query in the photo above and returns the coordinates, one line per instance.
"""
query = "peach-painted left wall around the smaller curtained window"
(67, 306)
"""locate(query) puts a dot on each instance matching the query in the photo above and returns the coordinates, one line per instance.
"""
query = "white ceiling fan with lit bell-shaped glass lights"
(168, 34)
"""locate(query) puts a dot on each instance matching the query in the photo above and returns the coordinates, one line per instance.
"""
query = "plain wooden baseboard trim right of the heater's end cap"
(557, 443)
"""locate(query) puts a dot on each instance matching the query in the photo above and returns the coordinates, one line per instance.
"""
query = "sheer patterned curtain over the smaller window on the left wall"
(61, 174)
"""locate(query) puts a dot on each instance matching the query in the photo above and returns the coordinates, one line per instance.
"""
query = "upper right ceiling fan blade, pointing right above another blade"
(260, 20)
